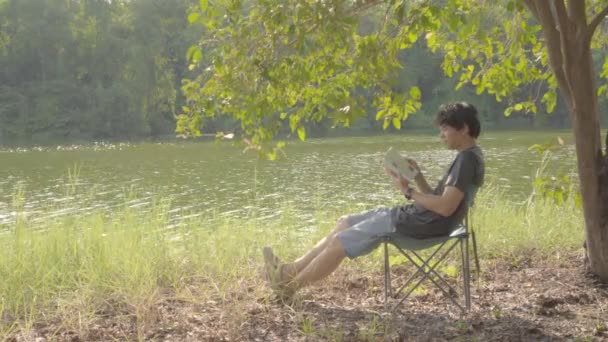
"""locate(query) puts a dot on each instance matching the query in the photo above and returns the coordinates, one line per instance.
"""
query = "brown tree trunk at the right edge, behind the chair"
(567, 39)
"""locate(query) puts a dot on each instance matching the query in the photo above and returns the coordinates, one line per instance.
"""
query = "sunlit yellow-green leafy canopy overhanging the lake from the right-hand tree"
(284, 63)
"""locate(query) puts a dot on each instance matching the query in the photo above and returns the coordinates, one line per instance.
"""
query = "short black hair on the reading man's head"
(457, 115)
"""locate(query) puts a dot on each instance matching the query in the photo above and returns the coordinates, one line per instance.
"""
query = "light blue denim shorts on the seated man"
(365, 231)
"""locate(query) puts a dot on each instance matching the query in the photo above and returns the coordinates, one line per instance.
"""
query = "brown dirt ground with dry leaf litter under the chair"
(528, 299)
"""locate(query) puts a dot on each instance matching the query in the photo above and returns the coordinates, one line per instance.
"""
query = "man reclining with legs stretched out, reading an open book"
(434, 212)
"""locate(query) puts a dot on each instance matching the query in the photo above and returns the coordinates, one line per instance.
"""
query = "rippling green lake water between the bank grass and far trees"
(214, 180)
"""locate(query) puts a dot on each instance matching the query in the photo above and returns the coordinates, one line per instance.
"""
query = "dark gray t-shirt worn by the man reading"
(465, 173)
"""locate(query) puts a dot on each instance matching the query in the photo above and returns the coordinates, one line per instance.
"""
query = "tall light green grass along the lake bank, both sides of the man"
(79, 267)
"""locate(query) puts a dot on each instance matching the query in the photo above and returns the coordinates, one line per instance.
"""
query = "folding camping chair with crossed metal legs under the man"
(426, 268)
